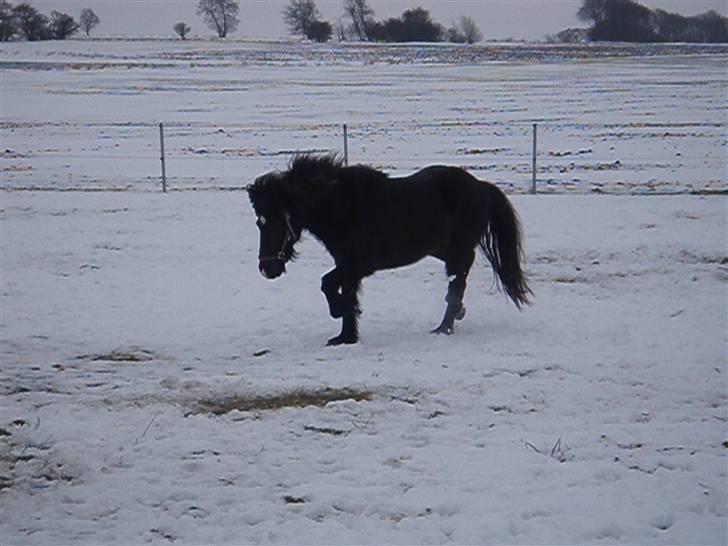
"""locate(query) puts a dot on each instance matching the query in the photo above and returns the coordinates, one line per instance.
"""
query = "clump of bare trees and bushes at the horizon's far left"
(24, 21)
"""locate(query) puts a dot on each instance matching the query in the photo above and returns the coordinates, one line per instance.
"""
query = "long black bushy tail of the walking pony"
(501, 245)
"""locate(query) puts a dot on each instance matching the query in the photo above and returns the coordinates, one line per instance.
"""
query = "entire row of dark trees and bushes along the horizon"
(612, 20)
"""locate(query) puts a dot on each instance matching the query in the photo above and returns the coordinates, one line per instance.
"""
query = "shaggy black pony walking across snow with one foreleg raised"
(368, 221)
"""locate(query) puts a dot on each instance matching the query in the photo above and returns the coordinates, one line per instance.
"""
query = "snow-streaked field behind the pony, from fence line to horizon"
(86, 114)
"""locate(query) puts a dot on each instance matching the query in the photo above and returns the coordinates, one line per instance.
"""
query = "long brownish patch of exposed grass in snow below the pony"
(294, 399)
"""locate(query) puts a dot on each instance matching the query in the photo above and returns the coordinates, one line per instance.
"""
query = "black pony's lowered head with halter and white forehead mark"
(278, 231)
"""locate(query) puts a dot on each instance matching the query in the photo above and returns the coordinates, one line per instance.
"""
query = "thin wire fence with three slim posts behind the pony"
(678, 157)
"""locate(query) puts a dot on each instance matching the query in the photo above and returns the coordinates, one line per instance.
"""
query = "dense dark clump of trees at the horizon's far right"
(629, 21)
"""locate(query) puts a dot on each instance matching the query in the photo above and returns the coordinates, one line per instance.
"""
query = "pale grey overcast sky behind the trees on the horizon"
(262, 18)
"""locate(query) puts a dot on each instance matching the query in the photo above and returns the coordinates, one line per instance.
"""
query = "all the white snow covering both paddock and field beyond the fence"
(132, 319)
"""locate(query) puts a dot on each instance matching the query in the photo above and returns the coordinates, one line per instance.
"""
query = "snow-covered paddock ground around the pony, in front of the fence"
(598, 415)
